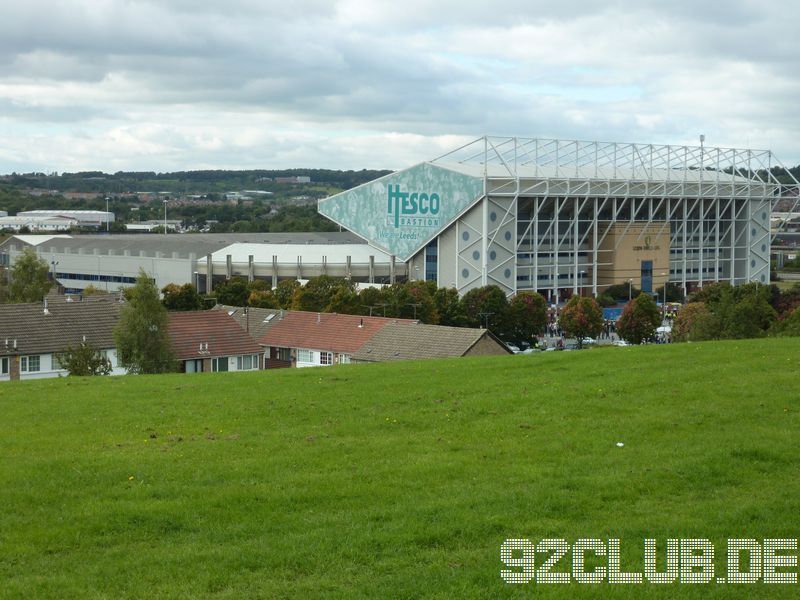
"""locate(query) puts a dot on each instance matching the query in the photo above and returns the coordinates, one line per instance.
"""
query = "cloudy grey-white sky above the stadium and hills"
(165, 85)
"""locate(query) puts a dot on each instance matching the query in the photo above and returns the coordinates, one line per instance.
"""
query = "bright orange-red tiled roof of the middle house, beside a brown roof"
(324, 331)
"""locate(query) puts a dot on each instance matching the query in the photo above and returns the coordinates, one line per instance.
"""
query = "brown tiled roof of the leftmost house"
(64, 324)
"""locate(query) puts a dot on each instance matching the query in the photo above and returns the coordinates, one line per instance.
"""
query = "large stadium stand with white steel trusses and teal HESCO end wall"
(563, 217)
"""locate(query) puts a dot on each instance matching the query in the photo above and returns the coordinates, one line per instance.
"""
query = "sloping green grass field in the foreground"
(396, 481)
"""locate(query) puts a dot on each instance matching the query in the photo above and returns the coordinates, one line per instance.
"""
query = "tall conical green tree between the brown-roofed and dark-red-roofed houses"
(142, 333)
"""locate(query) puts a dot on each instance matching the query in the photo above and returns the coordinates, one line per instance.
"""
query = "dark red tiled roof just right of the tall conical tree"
(188, 330)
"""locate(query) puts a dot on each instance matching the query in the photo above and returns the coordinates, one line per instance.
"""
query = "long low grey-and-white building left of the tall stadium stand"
(111, 262)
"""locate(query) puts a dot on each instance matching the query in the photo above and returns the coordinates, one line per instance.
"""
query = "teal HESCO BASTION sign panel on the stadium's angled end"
(401, 212)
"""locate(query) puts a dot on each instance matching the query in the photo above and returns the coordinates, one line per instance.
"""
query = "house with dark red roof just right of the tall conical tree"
(212, 341)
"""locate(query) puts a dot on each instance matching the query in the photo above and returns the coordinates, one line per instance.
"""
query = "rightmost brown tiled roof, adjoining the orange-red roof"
(397, 342)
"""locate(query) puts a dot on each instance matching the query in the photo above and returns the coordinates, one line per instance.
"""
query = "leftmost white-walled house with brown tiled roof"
(32, 335)
